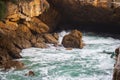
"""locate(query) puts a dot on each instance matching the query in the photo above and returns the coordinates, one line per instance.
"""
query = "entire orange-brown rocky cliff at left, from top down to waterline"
(20, 28)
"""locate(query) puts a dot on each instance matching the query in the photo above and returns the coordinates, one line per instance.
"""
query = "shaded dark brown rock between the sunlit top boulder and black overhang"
(51, 17)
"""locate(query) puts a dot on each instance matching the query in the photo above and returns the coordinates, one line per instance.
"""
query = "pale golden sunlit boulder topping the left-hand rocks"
(25, 9)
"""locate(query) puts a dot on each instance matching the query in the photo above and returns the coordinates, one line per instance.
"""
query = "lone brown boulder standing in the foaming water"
(73, 40)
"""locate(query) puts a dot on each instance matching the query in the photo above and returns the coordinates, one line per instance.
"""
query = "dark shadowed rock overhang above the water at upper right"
(88, 13)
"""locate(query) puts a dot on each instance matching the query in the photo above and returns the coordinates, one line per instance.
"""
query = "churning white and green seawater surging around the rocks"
(57, 63)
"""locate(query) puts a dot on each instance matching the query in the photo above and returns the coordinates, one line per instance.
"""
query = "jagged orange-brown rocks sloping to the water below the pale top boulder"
(17, 36)
